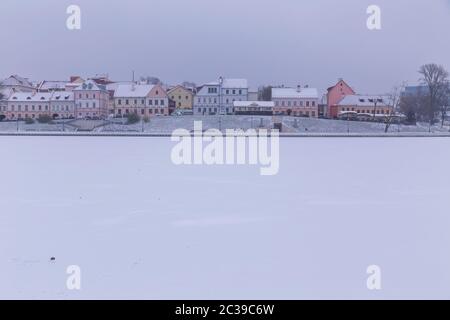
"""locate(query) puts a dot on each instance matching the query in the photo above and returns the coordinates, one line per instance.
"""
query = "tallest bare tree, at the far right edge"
(435, 78)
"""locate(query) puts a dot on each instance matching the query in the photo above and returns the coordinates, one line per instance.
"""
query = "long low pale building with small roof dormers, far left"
(22, 105)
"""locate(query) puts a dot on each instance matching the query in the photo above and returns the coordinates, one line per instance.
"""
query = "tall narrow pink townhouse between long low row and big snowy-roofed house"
(91, 101)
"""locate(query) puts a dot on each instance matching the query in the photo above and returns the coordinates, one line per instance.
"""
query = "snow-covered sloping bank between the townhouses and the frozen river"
(169, 124)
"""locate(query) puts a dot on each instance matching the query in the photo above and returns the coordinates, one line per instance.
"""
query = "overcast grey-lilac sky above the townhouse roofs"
(267, 41)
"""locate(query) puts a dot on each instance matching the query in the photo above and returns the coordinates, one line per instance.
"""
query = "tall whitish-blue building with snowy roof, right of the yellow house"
(218, 97)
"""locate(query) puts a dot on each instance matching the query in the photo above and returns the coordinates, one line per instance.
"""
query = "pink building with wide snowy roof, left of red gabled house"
(300, 102)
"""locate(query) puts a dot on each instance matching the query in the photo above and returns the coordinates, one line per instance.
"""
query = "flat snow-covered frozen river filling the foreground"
(140, 227)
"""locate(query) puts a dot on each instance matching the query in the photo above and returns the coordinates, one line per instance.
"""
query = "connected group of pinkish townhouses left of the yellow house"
(88, 100)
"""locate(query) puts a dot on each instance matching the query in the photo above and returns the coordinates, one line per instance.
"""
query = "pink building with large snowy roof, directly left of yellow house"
(142, 99)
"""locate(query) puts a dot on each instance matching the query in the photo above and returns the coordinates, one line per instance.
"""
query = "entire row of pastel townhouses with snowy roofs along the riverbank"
(100, 97)
